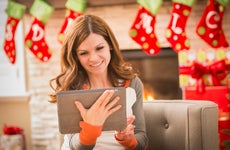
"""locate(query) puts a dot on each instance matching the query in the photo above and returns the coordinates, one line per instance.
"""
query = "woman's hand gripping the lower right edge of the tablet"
(128, 133)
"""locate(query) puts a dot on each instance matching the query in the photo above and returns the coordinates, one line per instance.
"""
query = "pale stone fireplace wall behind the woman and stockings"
(44, 119)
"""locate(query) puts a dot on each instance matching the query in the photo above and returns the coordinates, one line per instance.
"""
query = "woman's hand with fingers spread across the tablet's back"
(100, 110)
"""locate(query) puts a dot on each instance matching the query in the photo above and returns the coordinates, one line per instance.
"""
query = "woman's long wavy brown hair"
(73, 76)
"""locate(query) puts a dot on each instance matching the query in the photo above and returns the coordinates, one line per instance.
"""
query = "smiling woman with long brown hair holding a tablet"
(91, 59)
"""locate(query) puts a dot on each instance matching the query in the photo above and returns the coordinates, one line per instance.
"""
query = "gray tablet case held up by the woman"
(69, 116)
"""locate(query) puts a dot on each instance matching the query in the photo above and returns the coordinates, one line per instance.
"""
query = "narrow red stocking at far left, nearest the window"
(15, 12)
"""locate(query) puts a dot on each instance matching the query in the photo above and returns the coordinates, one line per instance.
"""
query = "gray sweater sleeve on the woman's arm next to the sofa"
(140, 129)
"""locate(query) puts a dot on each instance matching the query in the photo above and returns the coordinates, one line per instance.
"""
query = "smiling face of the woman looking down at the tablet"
(94, 54)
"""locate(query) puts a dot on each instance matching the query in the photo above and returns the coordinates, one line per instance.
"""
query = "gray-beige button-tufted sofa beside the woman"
(181, 124)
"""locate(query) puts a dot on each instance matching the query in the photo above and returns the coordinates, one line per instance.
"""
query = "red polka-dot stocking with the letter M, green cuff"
(142, 30)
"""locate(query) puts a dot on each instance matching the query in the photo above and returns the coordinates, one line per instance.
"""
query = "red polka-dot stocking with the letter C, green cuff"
(210, 26)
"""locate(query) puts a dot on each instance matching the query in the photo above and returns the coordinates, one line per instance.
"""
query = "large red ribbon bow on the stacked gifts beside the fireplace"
(217, 71)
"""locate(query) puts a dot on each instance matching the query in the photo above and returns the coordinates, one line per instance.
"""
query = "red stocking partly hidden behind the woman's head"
(74, 9)
